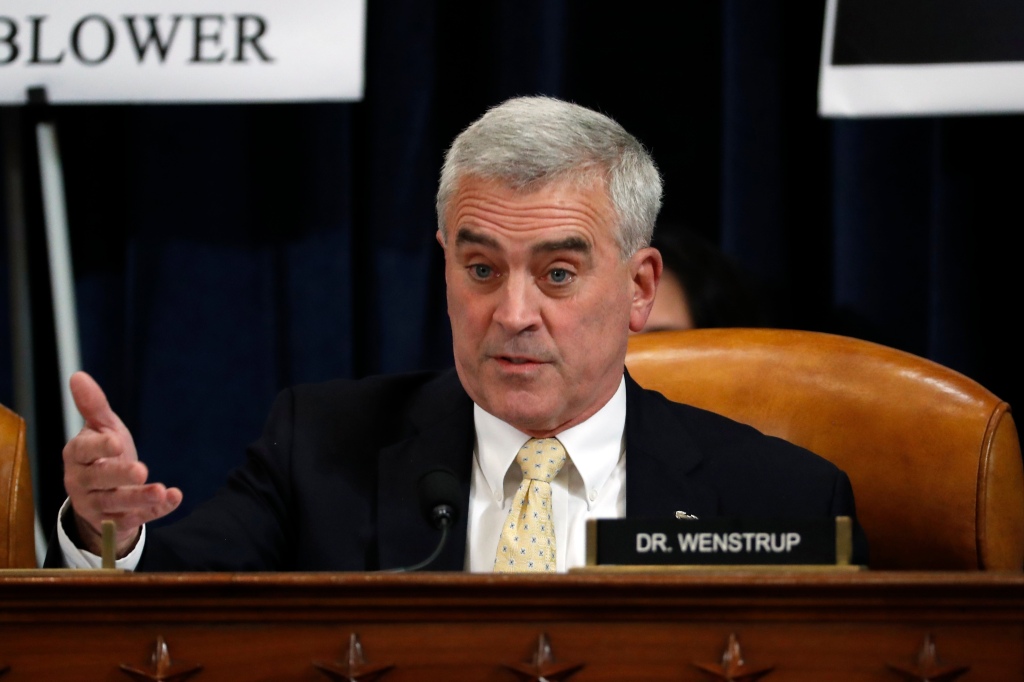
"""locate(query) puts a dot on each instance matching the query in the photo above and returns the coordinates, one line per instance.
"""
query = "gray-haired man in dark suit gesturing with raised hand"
(545, 215)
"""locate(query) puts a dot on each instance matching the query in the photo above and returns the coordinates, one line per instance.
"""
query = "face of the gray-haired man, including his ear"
(541, 301)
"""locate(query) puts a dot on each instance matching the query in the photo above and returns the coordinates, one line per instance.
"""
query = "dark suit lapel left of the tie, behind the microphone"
(442, 436)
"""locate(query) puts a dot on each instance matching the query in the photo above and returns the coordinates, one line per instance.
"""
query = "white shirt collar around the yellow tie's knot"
(594, 446)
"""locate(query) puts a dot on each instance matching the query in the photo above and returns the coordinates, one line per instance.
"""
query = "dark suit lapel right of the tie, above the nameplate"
(663, 461)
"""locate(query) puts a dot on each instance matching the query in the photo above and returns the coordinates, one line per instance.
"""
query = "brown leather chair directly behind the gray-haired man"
(934, 458)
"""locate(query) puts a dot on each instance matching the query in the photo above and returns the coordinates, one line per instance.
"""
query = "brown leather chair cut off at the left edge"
(18, 547)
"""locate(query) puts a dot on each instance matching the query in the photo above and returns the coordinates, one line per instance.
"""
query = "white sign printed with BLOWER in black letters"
(95, 52)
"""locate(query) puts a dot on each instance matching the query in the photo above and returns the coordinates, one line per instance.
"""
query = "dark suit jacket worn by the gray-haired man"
(332, 484)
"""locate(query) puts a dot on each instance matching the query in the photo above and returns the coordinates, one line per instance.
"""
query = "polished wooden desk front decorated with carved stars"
(807, 627)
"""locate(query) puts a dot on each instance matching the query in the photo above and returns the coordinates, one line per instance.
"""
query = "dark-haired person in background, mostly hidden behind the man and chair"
(701, 286)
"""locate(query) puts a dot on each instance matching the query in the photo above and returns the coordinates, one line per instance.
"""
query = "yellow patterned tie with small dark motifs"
(528, 542)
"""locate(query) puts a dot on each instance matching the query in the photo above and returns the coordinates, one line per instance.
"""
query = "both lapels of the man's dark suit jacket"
(663, 471)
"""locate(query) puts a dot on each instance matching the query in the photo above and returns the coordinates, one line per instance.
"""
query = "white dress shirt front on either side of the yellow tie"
(591, 485)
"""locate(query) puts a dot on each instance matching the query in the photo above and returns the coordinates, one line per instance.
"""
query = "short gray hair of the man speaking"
(529, 143)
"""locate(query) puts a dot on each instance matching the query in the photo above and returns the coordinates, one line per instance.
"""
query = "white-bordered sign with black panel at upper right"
(963, 57)
